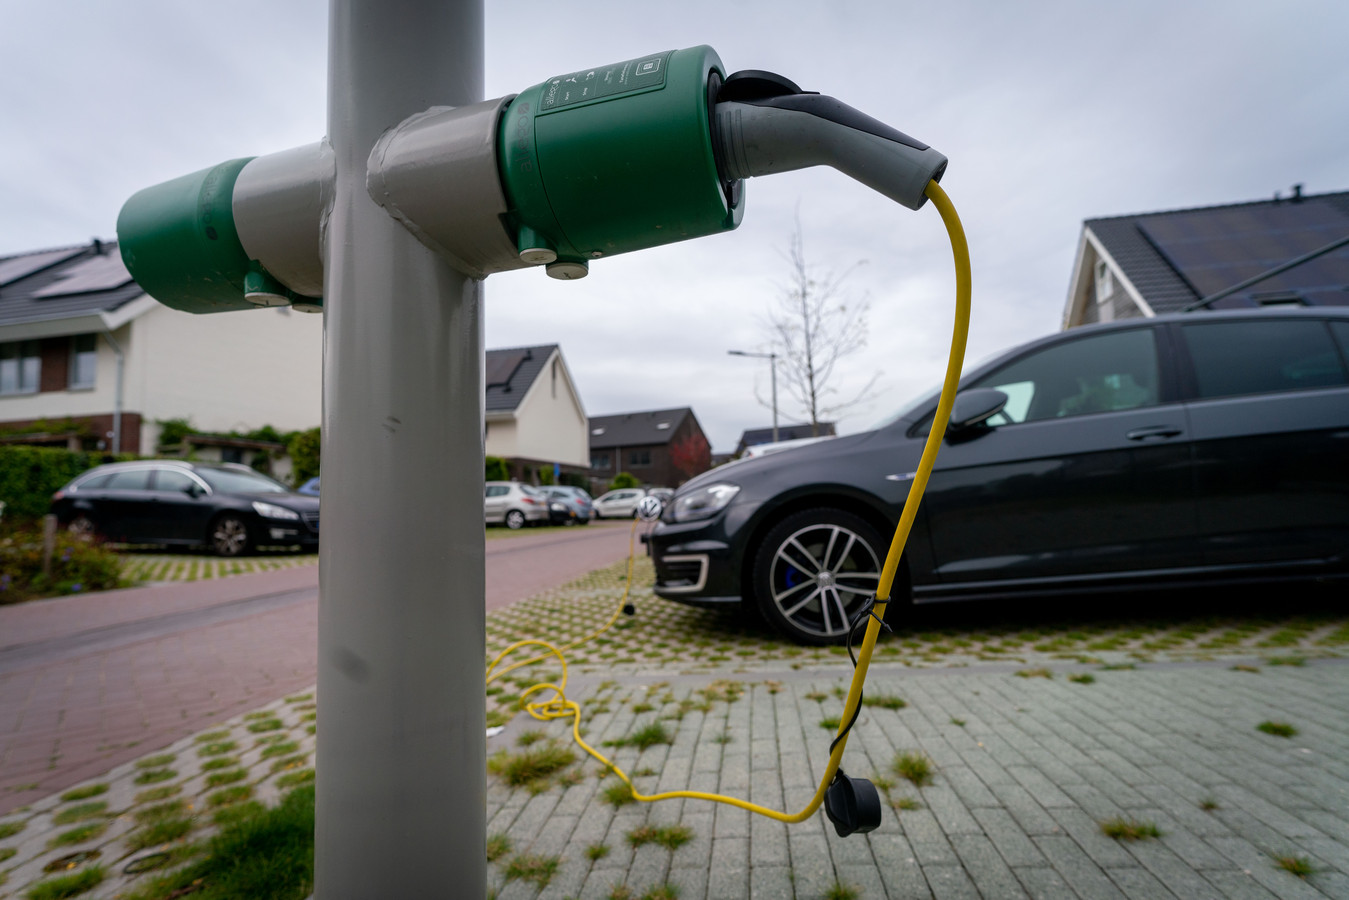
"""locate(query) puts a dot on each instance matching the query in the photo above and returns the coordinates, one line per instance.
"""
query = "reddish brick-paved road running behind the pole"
(95, 681)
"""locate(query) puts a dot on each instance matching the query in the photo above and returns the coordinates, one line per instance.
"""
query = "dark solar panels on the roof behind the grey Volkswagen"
(1216, 249)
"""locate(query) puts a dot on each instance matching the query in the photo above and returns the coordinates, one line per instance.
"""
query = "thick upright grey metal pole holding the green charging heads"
(401, 621)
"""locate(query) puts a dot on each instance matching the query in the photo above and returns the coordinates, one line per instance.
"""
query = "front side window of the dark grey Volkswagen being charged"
(1096, 374)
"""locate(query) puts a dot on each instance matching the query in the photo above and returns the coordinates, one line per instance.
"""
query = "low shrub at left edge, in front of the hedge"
(78, 566)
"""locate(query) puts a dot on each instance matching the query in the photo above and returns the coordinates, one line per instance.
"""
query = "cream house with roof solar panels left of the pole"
(90, 361)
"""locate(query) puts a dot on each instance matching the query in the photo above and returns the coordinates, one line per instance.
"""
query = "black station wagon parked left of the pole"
(227, 508)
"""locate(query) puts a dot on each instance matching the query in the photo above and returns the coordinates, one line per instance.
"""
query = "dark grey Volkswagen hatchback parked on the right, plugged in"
(1150, 453)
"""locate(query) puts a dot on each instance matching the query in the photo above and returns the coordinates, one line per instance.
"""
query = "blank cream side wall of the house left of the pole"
(226, 372)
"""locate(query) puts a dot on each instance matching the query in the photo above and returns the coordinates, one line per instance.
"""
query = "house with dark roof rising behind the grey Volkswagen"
(1282, 252)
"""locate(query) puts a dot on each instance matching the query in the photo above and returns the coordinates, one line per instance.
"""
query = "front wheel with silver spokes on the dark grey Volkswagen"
(814, 571)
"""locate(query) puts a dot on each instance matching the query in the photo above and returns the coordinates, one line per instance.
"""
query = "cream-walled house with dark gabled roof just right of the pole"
(535, 415)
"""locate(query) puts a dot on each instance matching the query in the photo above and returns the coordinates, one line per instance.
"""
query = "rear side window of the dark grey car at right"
(1263, 357)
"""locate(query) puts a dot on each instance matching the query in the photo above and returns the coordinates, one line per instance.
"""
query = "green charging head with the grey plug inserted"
(617, 159)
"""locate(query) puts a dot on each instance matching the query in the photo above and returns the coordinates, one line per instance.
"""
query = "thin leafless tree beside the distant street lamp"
(814, 327)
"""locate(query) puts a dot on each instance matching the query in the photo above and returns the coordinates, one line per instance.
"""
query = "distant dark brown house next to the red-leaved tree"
(660, 447)
